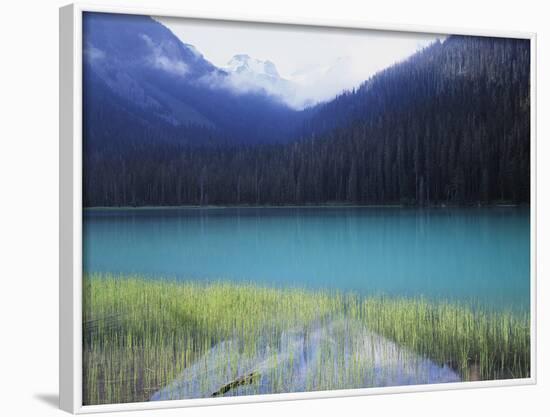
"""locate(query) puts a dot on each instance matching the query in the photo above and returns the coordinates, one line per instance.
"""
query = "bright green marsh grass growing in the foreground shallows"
(139, 335)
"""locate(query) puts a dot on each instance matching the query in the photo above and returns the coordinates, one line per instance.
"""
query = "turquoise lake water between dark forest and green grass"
(479, 255)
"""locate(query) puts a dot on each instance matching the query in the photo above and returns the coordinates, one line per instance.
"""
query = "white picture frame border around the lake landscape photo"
(70, 220)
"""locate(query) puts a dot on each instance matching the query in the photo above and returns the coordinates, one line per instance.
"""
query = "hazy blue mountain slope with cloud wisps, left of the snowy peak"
(142, 85)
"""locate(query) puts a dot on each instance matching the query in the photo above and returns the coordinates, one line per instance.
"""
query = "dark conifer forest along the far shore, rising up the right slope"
(449, 125)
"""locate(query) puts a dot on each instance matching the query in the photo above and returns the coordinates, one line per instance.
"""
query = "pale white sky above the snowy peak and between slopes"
(320, 62)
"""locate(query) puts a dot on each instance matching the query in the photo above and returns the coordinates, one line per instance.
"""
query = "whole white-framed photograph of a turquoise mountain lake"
(258, 210)
